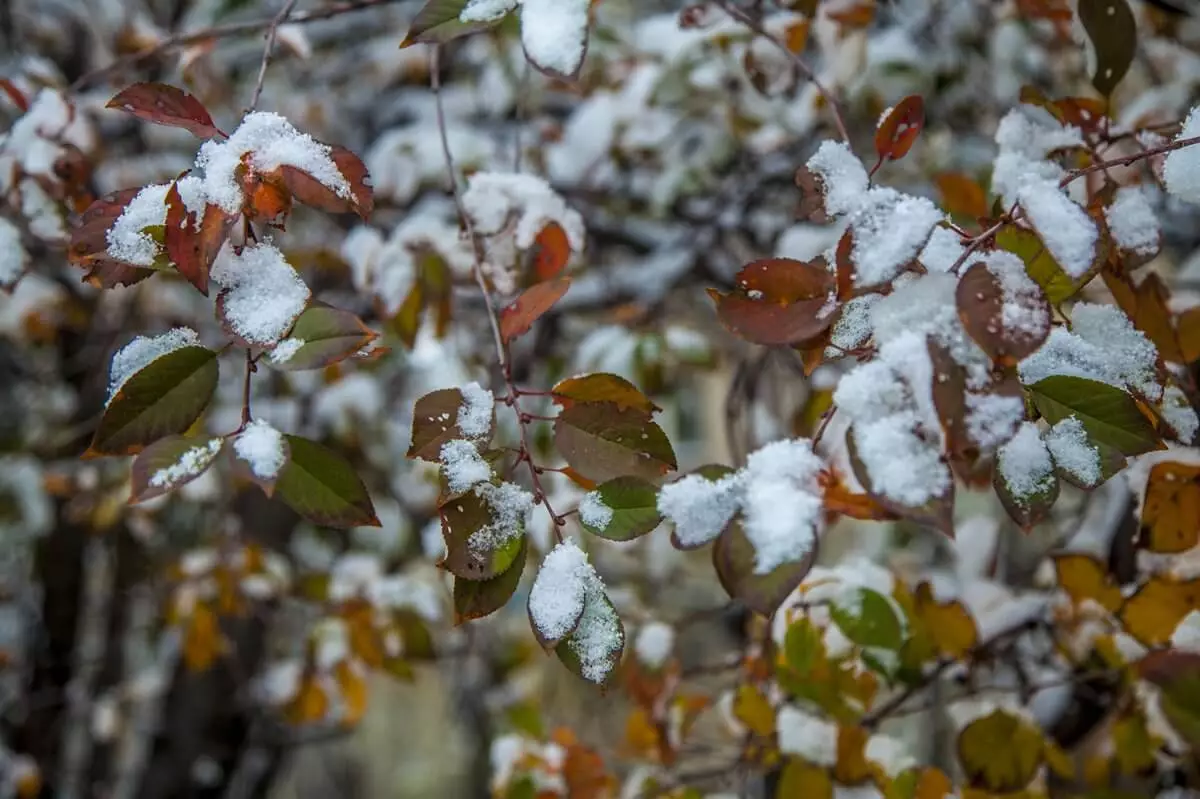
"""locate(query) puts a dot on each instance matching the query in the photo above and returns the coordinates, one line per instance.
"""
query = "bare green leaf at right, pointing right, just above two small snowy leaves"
(1109, 414)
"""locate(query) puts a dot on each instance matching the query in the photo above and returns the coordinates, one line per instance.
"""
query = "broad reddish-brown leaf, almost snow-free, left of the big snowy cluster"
(779, 302)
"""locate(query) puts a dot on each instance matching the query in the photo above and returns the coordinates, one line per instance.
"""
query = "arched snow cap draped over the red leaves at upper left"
(272, 142)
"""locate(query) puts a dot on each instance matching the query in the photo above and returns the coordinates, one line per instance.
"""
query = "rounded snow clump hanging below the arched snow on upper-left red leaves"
(262, 296)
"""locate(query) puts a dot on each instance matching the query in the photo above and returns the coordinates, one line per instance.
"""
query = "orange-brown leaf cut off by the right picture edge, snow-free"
(1171, 518)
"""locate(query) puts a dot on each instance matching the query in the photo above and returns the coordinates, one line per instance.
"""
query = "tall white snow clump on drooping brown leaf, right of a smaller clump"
(782, 503)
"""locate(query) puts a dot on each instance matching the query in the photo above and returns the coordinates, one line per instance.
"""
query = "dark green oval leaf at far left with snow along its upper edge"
(164, 399)
